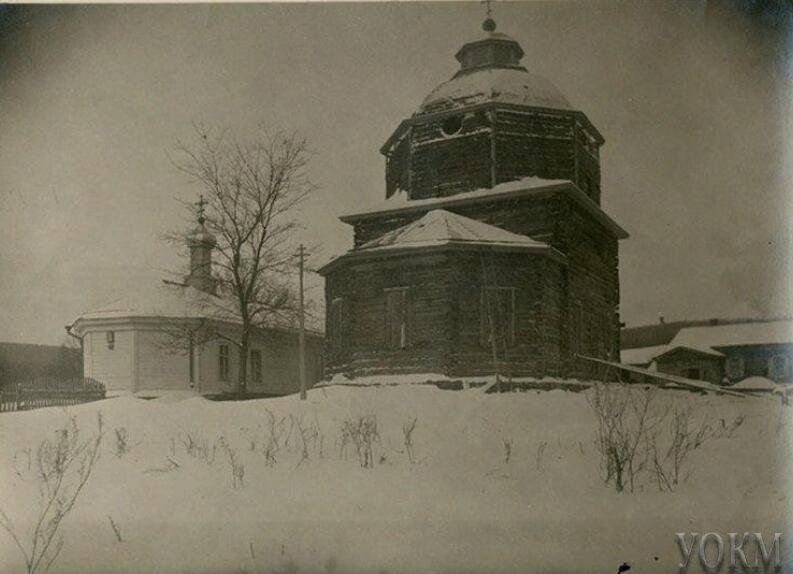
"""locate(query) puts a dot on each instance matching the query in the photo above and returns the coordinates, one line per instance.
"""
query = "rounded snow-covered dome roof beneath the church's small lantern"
(503, 85)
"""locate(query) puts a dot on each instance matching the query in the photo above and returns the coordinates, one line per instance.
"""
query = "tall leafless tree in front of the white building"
(251, 190)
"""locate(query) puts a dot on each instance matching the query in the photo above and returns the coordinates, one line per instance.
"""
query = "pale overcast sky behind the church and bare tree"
(695, 111)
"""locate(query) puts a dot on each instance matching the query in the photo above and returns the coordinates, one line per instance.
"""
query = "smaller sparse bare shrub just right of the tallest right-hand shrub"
(683, 437)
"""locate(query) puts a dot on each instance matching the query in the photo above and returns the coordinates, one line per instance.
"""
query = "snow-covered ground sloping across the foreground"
(459, 507)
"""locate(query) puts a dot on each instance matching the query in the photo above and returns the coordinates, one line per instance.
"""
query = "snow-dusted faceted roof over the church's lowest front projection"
(440, 229)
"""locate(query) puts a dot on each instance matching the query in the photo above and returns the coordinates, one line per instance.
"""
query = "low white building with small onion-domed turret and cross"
(171, 338)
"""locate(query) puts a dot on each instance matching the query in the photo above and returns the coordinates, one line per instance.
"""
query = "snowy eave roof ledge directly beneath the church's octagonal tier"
(399, 202)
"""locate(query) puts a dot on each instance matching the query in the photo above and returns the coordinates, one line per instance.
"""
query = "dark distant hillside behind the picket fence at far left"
(21, 361)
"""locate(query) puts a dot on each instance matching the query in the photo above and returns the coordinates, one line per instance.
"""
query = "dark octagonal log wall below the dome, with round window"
(494, 145)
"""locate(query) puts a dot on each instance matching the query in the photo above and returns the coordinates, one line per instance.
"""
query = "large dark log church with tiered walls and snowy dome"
(490, 253)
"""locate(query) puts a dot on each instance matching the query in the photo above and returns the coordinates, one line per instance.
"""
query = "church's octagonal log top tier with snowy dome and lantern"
(492, 122)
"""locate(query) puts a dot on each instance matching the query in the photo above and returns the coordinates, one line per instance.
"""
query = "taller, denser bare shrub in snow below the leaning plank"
(624, 420)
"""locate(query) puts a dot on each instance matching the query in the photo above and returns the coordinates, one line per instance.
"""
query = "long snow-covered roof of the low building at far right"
(760, 333)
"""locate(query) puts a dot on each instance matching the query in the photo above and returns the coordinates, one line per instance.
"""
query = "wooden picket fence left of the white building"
(49, 392)
